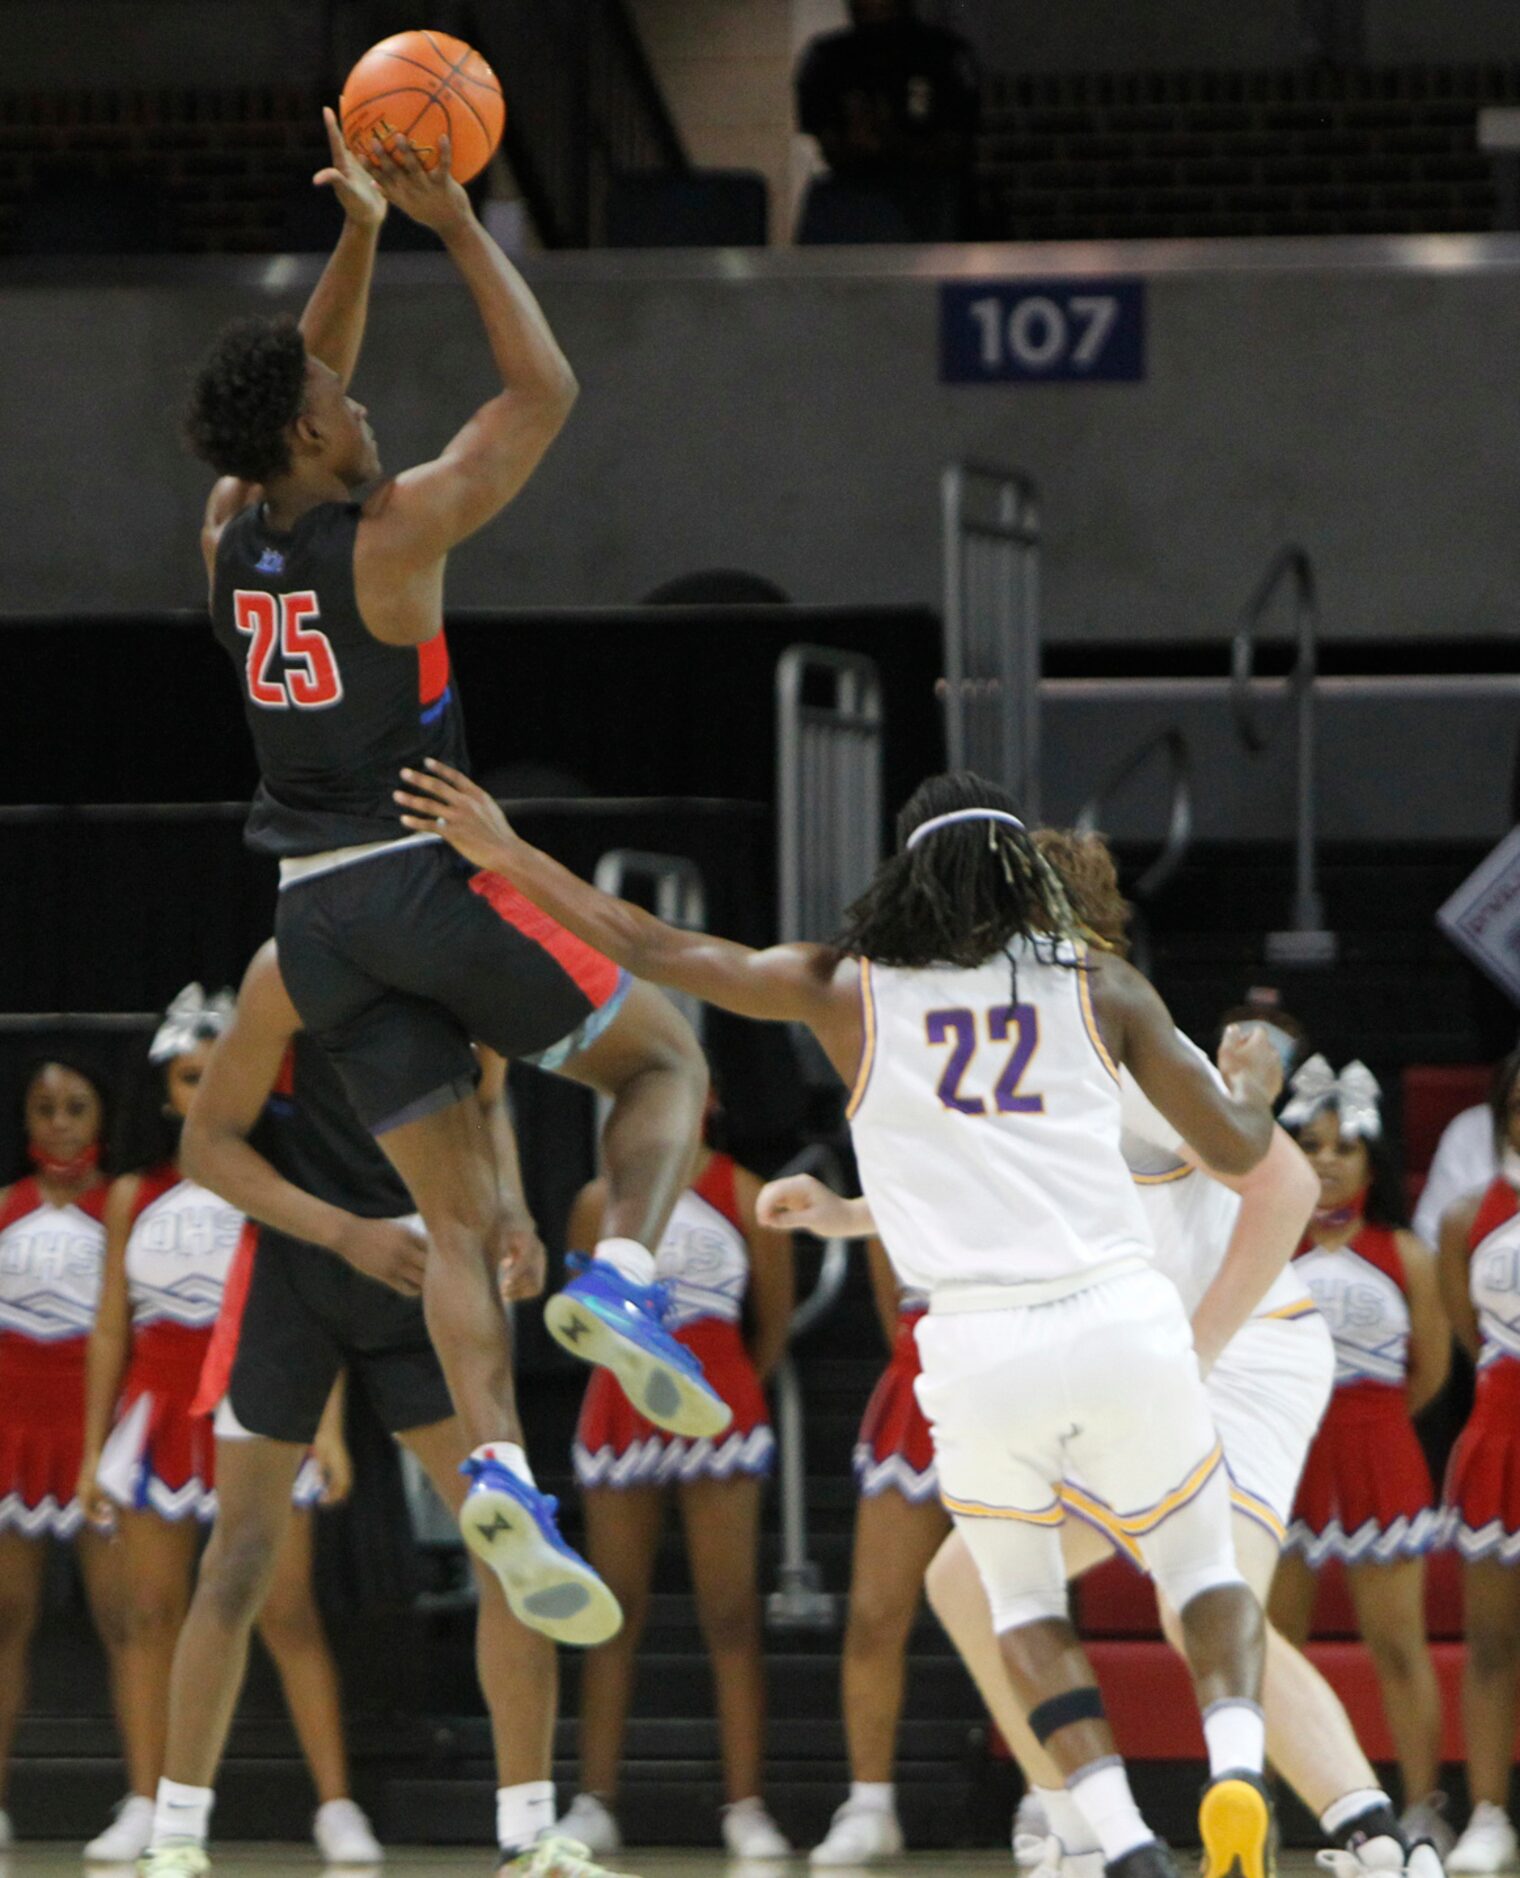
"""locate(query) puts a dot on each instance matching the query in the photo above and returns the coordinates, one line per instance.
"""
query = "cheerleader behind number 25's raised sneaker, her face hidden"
(713, 1257)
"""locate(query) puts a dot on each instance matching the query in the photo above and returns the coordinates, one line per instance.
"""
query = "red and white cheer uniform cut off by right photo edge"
(1483, 1477)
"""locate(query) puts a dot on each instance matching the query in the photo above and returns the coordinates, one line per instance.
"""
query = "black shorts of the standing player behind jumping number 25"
(311, 1316)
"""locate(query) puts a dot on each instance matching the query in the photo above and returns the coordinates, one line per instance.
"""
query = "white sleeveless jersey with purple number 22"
(987, 1124)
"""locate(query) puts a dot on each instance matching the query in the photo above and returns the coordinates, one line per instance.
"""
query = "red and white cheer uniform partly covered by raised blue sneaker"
(704, 1261)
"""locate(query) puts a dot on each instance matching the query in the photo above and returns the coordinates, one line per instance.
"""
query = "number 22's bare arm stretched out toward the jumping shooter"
(781, 985)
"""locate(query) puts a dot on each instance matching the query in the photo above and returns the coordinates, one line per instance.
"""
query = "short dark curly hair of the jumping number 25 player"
(245, 399)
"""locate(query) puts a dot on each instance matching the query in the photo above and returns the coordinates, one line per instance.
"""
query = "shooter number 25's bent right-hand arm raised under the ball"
(426, 512)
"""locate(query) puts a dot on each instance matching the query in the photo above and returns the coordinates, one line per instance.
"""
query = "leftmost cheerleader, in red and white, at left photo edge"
(52, 1248)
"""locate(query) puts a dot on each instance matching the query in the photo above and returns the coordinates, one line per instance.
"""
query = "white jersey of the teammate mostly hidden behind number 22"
(1190, 1214)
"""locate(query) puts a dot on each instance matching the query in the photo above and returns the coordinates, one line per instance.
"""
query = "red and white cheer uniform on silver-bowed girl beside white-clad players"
(1367, 1496)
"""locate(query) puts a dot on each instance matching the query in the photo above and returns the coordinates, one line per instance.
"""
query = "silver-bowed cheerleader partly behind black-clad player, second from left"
(147, 1471)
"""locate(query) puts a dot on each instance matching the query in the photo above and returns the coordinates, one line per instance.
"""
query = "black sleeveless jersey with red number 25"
(335, 713)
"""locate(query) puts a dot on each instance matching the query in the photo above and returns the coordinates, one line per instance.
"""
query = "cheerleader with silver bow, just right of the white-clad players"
(1367, 1496)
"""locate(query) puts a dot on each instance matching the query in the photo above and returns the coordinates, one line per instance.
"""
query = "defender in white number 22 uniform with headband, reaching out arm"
(985, 1047)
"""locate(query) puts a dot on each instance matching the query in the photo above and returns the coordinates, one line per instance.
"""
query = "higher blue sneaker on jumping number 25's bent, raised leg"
(606, 1319)
